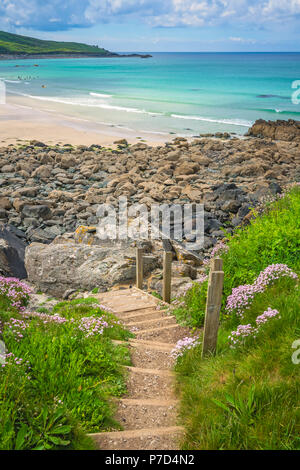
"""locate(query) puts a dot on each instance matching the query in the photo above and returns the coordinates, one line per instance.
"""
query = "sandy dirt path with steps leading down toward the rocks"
(148, 413)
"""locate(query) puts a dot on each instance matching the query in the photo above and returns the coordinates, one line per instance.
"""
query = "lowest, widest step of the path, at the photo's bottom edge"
(164, 438)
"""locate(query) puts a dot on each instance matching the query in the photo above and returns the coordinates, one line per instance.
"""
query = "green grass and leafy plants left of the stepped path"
(72, 380)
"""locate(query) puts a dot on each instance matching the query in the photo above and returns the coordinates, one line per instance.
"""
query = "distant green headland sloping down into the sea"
(14, 44)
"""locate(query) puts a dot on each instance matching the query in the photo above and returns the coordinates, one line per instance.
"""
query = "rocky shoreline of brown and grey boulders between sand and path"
(49, 198)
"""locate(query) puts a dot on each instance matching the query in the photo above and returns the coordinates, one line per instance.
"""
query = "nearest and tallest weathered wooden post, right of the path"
(213, 307)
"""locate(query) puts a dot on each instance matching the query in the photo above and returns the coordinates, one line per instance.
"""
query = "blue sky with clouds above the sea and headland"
(160, 25)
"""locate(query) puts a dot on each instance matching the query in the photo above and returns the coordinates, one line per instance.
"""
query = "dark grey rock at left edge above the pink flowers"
(12, 251)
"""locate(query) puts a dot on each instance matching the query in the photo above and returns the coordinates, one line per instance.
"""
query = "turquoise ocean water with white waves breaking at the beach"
(180, 93)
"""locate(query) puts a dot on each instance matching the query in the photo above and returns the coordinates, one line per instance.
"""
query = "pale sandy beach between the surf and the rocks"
(22, 120)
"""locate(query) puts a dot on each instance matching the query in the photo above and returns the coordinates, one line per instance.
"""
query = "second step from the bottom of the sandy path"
(141, 413)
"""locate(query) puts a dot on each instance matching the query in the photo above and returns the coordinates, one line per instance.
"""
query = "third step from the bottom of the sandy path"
(150, 383)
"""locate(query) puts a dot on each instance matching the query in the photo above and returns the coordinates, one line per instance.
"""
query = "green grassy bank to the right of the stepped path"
(248, 397)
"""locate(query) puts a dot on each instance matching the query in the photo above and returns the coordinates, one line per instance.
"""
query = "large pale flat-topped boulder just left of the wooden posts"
(56, 268)
